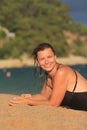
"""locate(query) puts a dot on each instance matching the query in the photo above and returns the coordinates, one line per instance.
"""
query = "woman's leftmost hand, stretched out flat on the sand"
(18, 100)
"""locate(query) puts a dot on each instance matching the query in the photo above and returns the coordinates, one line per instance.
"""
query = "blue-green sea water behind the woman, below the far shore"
(26, 80)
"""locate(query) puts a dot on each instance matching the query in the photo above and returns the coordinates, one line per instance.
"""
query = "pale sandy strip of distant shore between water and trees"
(26, 62)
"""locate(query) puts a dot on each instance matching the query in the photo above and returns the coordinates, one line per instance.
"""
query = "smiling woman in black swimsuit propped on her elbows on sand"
(63, 85)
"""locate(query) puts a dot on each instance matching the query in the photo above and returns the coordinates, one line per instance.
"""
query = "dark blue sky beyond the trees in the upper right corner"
(78, 10)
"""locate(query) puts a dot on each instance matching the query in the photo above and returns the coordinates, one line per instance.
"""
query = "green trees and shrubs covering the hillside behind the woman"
(36, 21)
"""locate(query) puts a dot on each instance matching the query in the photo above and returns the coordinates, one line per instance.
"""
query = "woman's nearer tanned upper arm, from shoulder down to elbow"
(60, 84)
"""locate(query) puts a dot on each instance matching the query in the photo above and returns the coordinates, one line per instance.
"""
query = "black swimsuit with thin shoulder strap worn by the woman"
(75, 100)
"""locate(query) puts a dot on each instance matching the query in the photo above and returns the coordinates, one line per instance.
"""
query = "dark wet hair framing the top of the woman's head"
(41, 47)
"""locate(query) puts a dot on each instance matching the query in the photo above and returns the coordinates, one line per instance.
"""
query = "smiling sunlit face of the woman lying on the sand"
(46, 59)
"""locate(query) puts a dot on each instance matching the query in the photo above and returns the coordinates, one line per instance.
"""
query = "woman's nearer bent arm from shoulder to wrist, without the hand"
(59, 88)
